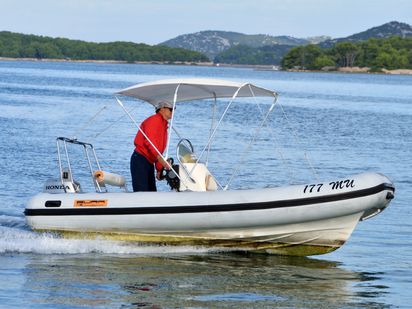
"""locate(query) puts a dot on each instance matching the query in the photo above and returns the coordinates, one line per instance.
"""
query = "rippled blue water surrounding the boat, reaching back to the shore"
(344, 123)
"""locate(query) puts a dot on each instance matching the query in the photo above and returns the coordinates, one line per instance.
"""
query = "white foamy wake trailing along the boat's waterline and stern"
(15, 240)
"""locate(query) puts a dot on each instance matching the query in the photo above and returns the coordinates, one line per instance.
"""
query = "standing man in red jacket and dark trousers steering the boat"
(145, 158)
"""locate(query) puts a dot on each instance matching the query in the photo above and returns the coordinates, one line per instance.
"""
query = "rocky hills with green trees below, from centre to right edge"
(380, 48)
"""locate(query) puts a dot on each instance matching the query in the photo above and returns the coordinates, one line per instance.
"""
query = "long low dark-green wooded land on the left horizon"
(16, 45)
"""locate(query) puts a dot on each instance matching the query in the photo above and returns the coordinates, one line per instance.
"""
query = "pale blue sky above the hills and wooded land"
(155, 21)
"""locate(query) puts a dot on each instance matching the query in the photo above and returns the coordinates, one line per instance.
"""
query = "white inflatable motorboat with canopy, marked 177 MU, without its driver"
(307, 219)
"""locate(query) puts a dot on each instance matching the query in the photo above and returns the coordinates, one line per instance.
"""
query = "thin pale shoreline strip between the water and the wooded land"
(211, 64)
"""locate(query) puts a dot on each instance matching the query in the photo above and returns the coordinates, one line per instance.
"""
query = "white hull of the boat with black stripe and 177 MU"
(292, 220)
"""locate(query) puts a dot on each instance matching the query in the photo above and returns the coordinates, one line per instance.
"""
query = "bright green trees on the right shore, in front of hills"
(377, 54)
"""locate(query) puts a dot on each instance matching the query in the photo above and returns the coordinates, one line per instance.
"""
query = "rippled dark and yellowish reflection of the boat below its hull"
(200, 281)
